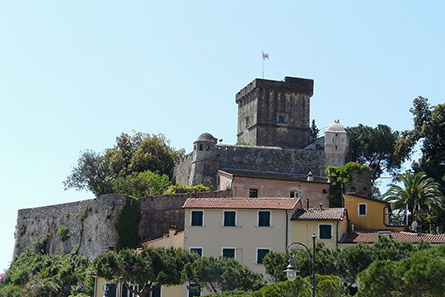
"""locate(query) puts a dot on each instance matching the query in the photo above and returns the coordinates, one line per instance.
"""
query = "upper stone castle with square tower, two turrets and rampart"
(273, 137)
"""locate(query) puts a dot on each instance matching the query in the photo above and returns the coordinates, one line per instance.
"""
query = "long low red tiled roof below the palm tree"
(371, 236)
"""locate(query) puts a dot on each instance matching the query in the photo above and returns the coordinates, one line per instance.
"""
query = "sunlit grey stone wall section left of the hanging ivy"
(90, 225)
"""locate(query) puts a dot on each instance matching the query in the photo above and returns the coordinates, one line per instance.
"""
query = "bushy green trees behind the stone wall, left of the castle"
(98, 172)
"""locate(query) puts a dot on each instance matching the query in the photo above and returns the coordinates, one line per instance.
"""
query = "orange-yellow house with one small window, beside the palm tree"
(368, 213)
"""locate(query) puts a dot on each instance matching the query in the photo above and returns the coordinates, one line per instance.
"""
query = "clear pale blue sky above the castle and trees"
(75, 74)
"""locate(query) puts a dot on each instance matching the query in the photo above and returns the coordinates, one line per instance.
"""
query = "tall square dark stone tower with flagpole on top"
(275, 113)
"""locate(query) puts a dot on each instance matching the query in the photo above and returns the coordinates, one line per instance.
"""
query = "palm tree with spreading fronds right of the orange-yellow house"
(418, 193)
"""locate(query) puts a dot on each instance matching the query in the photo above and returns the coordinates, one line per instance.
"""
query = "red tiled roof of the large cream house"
(241, 203)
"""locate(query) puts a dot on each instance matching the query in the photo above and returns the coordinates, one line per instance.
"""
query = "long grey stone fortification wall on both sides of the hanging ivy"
(91, 223)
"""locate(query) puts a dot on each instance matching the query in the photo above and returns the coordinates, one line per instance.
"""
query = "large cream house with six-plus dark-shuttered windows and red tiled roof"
(244, 229)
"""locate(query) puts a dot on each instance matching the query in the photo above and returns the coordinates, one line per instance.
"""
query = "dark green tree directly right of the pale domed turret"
(376, 147)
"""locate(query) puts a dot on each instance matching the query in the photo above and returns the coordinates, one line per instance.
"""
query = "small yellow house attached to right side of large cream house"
(328, 224)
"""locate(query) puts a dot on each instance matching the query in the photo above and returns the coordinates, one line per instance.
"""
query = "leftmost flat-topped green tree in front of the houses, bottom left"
(150, 268)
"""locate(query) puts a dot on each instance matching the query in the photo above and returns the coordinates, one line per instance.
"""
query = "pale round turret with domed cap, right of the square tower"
(336, 144)
